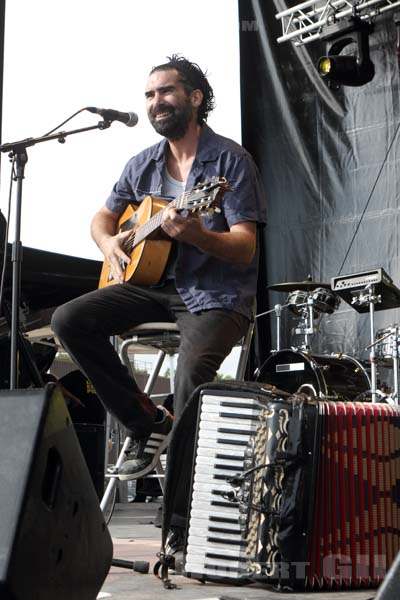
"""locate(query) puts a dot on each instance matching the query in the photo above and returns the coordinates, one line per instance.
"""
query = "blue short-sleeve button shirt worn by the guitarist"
(204, 281)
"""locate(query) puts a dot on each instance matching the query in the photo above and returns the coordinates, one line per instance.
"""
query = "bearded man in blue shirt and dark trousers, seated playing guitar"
(208, 281)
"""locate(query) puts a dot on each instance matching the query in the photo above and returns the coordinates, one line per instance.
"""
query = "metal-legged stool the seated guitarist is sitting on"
(164, 338)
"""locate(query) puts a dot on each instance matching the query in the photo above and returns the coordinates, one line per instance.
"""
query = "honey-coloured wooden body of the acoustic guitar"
(149, 257)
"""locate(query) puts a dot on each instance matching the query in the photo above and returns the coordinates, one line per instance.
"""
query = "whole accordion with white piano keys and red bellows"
(296, 492)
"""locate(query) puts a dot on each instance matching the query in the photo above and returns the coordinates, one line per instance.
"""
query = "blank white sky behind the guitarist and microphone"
(64, 55)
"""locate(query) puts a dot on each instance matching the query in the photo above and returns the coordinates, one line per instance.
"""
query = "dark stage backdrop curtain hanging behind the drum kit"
(324, 161)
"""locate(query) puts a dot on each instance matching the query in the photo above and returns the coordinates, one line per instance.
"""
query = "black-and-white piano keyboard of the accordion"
(216, 545)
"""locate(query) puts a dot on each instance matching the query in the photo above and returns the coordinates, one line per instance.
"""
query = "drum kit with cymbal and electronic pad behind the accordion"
(336, 376)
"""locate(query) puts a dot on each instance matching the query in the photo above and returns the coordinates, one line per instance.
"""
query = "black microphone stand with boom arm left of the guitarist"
(17, 151)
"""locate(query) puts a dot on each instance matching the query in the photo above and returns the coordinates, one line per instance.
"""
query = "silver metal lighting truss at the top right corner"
(306, 21)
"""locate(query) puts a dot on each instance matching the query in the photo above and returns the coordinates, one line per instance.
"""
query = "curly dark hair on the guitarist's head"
(192, 78)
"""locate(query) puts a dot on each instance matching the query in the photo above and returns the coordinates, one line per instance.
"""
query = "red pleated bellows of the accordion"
(356, 518)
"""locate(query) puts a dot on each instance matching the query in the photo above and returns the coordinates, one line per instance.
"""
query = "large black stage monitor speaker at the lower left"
(54, 543)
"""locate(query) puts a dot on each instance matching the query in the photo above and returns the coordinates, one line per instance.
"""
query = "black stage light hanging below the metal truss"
(345, 69)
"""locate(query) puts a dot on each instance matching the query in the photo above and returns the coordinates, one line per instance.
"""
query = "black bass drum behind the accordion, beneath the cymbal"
(334, 377)
